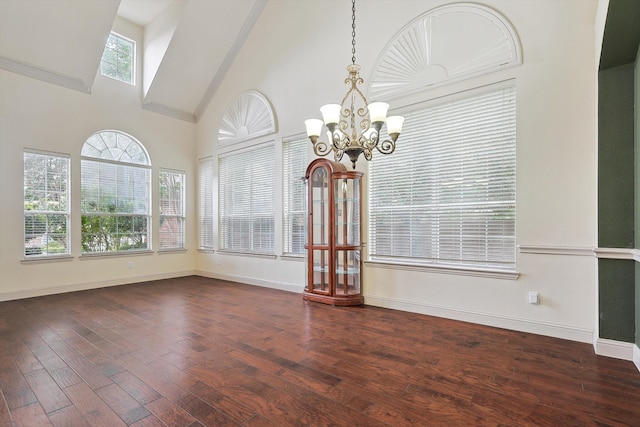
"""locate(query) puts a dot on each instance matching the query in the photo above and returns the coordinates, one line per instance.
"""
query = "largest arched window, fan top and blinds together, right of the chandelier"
(446, 197)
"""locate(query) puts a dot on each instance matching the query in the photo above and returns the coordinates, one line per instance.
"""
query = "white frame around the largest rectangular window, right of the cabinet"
(458, 267)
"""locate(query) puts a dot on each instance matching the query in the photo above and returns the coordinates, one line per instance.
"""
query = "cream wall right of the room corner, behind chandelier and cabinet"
(296, 56)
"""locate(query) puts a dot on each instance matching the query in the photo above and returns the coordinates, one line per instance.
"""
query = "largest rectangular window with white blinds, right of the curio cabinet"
(447, 196)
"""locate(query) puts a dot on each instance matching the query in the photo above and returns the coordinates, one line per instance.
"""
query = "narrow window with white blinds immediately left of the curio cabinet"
(295, 160)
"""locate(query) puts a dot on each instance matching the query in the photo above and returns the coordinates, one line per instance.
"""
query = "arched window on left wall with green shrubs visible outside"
(116, 194)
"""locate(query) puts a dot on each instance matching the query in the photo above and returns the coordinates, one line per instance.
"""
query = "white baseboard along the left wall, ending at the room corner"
(30, 293)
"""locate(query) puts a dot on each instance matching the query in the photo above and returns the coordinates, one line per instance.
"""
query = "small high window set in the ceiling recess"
(118, 59)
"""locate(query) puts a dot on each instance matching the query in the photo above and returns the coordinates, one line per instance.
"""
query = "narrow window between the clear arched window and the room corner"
(172, 209)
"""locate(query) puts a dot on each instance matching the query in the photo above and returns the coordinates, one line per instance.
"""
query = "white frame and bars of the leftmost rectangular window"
(66, 195)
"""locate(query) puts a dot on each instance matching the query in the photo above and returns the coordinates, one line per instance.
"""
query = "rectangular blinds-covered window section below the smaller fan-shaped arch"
(246, 191)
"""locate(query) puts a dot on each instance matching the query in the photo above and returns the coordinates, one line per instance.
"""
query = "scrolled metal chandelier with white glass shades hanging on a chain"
(343, 120)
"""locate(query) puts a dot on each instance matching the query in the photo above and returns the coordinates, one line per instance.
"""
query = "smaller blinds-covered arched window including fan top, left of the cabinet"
(246, 176)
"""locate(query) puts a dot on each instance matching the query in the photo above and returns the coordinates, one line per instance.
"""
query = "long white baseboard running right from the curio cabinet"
(505, 322)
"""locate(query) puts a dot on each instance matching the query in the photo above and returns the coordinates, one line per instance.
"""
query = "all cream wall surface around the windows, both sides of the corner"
(296, 56)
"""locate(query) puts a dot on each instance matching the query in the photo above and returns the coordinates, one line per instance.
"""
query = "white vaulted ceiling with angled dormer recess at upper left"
(187, 49)
